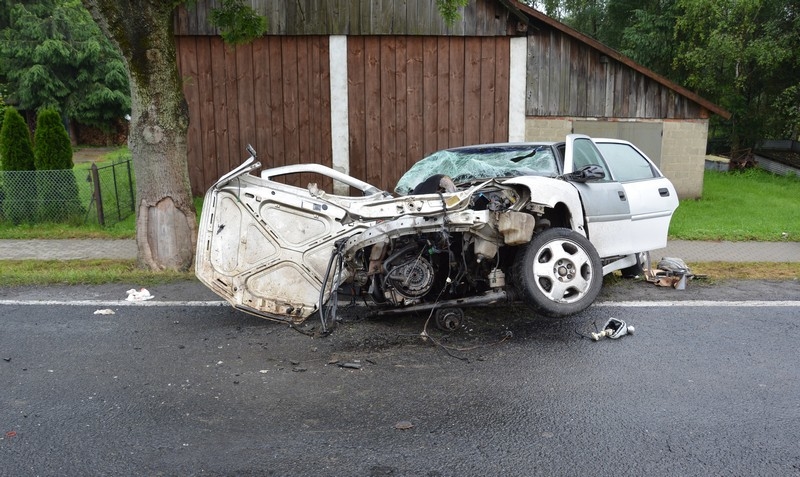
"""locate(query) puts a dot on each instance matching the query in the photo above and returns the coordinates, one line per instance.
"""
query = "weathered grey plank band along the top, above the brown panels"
(355, 17)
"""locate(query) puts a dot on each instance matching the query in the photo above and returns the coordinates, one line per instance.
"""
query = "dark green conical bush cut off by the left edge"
(16, 150)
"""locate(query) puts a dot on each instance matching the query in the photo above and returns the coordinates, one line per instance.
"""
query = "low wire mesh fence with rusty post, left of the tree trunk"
(103, 195)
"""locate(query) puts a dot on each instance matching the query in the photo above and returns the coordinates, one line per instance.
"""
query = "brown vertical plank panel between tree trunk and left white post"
(273, 93)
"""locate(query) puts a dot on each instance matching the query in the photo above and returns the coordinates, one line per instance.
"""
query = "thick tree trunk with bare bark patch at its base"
(166, 224)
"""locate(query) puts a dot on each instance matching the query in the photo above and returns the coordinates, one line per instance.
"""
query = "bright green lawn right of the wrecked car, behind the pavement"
(741, 206)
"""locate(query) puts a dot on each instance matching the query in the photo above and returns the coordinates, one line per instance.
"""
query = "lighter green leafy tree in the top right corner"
(742, 54)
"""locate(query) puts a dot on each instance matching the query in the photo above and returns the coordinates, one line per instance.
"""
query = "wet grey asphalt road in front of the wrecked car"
(699, 389)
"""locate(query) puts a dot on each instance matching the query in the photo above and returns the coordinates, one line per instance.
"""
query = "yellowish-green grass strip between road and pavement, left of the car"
(82, 272)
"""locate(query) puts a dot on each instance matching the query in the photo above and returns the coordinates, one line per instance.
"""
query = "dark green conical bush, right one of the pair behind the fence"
(57, 190)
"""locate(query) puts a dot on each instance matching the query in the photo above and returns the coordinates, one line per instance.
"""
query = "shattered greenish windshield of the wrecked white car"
(467, 164)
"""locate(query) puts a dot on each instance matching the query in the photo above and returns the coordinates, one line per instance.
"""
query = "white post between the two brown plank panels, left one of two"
(340, 128)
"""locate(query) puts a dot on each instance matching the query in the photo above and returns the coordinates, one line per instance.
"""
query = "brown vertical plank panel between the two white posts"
(411, 96)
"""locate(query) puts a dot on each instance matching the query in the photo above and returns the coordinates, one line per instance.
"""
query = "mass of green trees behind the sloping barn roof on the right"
(740, 54)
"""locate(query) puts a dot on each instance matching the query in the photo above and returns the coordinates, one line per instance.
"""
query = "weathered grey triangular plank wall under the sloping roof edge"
(566, 77)
